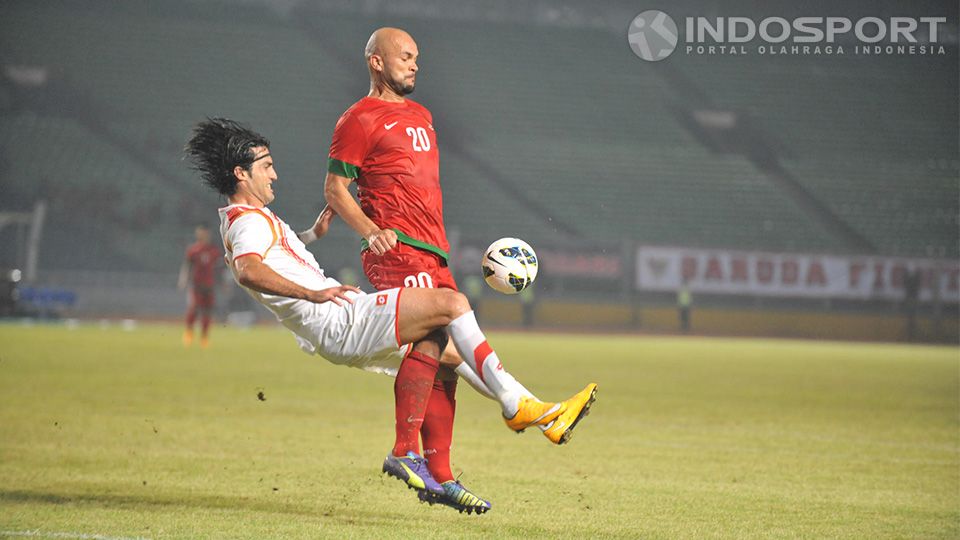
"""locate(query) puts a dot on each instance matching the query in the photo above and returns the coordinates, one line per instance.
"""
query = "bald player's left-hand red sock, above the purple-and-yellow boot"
(412, 392)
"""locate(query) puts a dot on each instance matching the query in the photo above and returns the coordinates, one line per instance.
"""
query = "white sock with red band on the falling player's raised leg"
(471, 343)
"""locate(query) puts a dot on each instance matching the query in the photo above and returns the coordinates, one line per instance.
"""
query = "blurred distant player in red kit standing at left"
(199, 271)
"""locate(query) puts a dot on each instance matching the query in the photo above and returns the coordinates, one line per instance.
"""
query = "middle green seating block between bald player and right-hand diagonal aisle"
(557, 141)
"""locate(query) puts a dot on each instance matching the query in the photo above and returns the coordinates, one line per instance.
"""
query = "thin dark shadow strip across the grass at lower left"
(347, 514)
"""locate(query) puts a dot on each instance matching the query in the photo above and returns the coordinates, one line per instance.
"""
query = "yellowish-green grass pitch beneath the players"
(127, 434)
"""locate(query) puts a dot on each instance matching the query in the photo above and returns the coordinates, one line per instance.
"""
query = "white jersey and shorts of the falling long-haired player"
(363, 334)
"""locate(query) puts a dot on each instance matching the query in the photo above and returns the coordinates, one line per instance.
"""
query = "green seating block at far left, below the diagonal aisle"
(103, 206)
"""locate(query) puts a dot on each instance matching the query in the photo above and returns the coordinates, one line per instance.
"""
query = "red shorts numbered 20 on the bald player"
(406, 266)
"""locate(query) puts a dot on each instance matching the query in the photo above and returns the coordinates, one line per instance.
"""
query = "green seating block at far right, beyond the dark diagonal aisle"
(883, 162)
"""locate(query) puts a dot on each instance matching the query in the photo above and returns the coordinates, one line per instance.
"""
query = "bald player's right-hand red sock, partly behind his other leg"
(437, 430)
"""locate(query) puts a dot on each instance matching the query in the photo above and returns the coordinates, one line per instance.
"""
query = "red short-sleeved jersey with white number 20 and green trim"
(391, 150)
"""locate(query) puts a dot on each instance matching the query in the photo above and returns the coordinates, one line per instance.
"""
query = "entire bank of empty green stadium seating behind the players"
(544, 133)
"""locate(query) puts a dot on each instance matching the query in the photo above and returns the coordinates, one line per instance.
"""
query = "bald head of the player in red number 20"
(391, 55)
